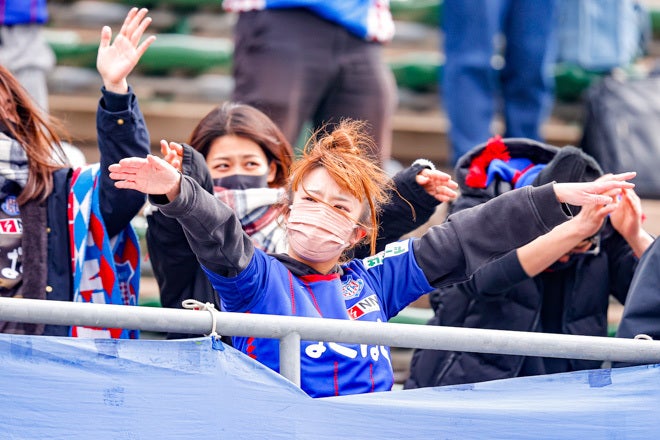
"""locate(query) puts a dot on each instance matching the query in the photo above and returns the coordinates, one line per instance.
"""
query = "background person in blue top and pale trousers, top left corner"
(23, 48)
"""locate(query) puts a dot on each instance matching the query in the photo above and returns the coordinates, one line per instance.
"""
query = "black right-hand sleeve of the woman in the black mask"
(410, 207)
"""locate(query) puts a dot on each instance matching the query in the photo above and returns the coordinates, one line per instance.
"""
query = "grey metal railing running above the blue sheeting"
(290, 330)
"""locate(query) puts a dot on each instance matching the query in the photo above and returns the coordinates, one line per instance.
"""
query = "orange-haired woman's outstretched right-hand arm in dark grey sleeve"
(477, 235)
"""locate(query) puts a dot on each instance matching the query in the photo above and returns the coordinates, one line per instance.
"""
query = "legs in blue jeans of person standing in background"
(499, 56)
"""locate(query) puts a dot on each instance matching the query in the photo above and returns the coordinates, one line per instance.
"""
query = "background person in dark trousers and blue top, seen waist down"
(316, 61)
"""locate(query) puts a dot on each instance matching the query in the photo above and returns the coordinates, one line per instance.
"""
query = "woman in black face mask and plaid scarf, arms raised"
(238, 153)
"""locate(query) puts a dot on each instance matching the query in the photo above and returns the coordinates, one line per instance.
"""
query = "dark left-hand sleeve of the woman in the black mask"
(175, 266)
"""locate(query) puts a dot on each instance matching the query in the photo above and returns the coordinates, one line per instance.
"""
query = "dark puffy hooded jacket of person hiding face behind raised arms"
(501, 296)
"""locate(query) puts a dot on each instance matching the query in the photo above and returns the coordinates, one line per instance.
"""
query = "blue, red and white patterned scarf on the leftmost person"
(106, 271)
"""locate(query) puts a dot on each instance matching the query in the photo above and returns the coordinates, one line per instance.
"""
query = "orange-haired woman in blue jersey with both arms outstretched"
(335, 192)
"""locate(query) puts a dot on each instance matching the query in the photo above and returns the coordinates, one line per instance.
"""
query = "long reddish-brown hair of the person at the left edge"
(37, 134)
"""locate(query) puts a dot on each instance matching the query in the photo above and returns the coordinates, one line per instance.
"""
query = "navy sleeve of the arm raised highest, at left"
(121, 132)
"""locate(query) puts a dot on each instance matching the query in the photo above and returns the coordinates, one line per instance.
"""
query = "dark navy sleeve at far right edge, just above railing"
(641, 314)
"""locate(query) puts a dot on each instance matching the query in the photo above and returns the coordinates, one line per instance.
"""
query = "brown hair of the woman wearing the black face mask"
(245, 121)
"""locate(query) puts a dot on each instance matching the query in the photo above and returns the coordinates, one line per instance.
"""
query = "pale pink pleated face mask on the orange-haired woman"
(317, 232)
